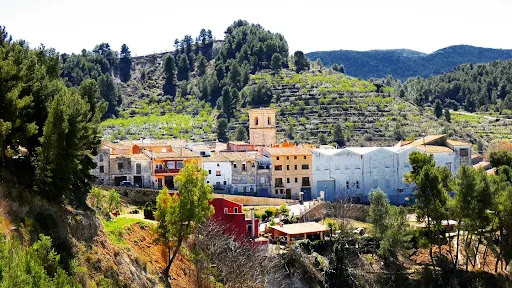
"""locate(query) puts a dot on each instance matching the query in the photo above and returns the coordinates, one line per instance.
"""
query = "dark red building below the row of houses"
(231, 215)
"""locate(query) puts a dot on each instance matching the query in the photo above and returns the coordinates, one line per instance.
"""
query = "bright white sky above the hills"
(151, 26)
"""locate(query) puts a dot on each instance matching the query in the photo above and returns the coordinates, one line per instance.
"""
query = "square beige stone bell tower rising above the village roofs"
(262, 127)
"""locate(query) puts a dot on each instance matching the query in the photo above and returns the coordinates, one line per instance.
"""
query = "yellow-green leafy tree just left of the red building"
(179, 214)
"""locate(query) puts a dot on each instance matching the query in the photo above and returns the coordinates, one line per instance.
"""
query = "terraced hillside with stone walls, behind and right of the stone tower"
(310, 104)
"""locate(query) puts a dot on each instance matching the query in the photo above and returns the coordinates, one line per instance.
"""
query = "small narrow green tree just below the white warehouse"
(379, 212)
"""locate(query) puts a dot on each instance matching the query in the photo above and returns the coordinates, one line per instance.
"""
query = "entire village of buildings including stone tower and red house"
(276, 179)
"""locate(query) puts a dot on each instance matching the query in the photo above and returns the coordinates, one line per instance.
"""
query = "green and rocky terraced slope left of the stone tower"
(147, 112)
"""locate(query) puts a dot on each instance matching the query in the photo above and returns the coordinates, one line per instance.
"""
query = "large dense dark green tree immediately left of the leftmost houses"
(70, 137)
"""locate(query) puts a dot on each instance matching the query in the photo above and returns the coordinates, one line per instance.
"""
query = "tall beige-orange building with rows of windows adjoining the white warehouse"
(291, 171)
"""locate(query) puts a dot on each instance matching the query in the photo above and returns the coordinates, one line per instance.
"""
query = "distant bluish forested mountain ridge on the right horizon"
(402, 63)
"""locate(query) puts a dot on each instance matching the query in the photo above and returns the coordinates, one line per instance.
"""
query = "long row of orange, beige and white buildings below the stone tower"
(283, 171)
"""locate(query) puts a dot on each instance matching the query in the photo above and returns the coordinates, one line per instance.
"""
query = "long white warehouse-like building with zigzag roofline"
(355, 171)
